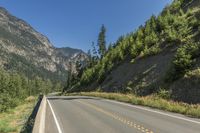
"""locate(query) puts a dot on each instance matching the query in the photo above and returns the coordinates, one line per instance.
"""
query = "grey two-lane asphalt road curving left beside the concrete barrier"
(79, 114)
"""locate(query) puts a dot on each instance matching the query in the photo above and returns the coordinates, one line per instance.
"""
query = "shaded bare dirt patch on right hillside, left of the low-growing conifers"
(145, 74)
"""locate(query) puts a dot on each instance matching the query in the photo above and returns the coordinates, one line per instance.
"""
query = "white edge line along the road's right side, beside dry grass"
(142, 108)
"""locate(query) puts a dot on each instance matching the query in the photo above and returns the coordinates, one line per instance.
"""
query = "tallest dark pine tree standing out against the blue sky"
(102, 42)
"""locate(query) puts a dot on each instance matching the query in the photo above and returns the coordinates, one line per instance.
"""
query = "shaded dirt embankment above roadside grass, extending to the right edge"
(147, 75)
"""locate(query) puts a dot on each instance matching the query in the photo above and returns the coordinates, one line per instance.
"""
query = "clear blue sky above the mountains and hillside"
(76, 23)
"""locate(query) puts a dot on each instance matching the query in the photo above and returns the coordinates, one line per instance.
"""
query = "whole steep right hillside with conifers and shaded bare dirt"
(162, 57)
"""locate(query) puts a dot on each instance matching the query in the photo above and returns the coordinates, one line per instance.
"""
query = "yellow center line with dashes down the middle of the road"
(119, 118)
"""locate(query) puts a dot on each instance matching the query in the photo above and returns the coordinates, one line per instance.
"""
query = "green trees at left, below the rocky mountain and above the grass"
(14, 88)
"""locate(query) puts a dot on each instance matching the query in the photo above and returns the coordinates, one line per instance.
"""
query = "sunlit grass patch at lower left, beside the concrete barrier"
(13, 120)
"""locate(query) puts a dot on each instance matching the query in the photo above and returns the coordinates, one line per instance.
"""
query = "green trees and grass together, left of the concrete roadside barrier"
(18, 98)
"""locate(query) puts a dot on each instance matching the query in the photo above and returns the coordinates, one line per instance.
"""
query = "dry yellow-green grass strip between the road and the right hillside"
(150, 101)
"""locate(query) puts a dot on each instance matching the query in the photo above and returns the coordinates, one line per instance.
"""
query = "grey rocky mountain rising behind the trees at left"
(24, 50)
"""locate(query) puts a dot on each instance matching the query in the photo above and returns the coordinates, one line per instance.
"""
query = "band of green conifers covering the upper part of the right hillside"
(174, 26)
